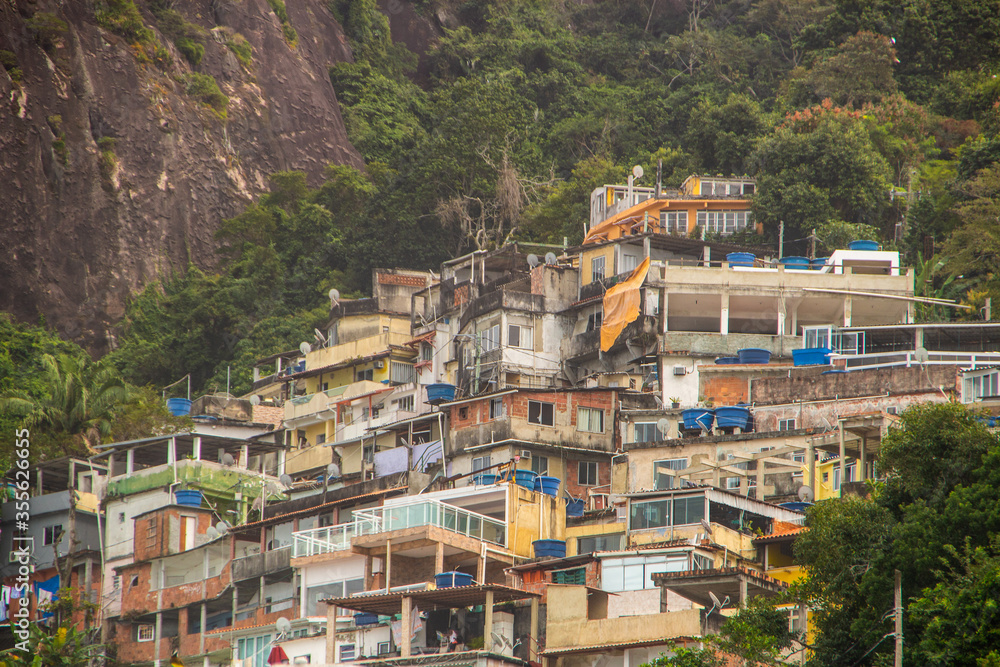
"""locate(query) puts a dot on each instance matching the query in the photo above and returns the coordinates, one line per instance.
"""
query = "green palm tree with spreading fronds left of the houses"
(80, 402)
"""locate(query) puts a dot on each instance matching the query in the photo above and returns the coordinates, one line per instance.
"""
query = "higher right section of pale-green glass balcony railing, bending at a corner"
(435, 513)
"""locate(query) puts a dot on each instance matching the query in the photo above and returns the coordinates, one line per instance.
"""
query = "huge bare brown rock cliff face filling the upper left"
(114, 170)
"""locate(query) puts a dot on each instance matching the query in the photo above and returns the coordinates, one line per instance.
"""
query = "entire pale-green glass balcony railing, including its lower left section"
(397, 517)
